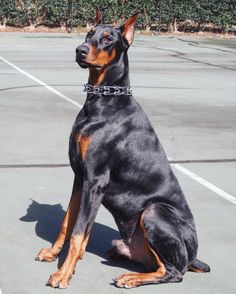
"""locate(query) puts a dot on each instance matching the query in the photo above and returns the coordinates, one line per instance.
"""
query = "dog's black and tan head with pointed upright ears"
(104, 43)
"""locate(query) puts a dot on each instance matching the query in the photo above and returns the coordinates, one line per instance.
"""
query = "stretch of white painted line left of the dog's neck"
(42, 83)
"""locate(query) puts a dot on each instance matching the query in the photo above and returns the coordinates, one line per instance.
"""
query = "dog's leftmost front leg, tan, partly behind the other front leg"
(50, 254)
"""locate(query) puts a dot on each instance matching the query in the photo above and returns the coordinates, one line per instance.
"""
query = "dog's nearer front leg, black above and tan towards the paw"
(91, 198)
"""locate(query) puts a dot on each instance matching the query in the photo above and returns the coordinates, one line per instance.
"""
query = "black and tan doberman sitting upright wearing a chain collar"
(119, 162)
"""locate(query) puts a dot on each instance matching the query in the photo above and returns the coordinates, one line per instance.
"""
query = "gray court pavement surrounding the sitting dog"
(186, 86)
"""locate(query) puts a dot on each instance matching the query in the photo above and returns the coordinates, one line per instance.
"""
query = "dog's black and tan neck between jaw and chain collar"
(115, 74)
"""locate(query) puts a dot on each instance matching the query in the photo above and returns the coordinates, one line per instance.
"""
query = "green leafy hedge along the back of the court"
(171, 15)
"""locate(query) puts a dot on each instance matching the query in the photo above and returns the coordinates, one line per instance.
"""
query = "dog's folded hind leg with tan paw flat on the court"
(156, 238)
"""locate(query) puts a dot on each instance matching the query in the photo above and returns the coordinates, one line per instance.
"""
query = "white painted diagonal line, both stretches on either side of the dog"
(179, 167)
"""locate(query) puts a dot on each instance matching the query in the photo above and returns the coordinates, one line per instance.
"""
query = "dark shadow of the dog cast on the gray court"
(48, 220)
